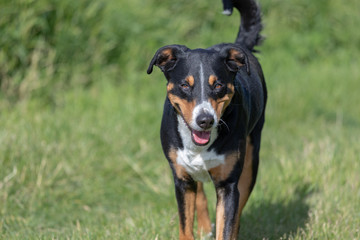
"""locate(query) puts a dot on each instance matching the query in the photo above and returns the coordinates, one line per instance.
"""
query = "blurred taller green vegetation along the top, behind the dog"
(47, 46)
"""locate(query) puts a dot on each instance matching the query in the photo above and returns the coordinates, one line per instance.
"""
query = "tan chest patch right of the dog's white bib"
(223, 171)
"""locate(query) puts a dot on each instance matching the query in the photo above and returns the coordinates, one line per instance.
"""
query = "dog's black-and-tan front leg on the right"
(227, 211)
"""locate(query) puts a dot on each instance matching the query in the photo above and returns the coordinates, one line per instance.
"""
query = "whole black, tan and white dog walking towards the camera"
(212, 122)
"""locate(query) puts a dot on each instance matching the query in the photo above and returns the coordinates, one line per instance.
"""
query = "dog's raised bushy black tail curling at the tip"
(250, 26)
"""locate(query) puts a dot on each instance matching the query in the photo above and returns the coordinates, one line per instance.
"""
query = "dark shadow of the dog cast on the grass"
(276, 219)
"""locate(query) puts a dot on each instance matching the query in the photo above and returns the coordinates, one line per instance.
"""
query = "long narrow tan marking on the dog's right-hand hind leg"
(246, 175)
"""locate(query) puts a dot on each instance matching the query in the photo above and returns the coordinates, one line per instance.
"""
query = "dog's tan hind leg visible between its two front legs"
(204, 223)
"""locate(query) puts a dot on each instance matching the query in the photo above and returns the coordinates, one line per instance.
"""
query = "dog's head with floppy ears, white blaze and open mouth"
(200, 83)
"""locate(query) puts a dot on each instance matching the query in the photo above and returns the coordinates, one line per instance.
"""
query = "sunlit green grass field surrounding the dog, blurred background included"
(80, 155)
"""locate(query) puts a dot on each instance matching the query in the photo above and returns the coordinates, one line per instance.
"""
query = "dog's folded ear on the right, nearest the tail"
(235, 58)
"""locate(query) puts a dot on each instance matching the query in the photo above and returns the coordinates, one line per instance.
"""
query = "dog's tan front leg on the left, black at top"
(185, 190)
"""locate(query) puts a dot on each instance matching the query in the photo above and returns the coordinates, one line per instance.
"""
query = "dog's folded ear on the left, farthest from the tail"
(167, 57)
